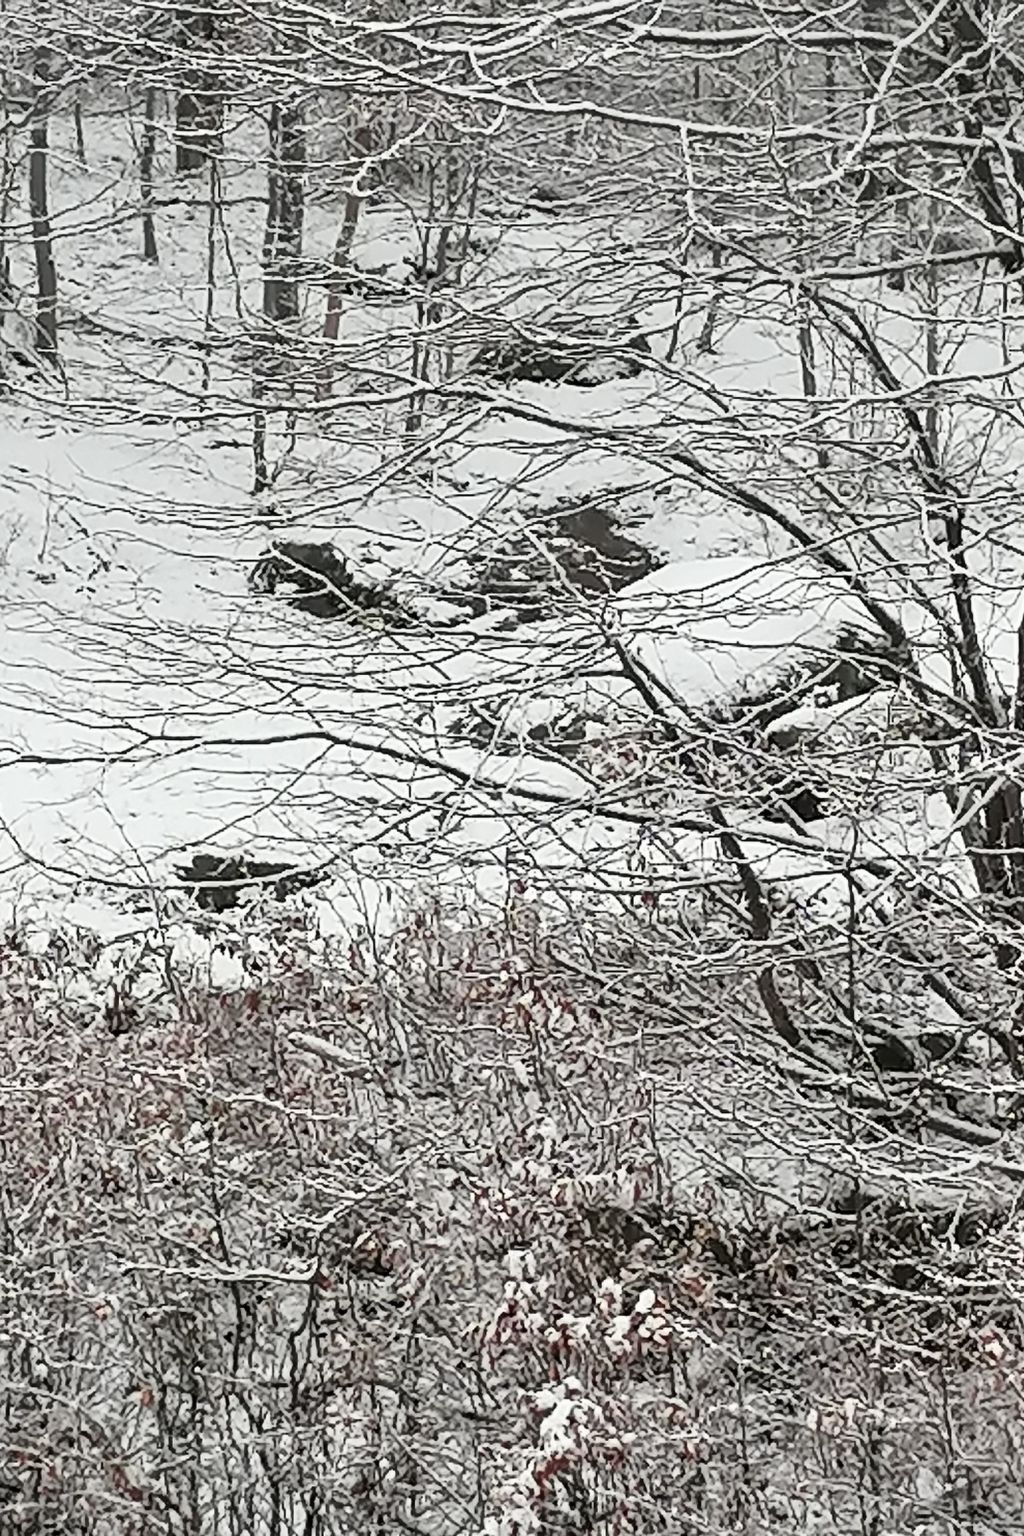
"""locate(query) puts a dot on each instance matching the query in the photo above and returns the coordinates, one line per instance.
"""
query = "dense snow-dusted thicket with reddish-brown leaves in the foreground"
(448, 1240)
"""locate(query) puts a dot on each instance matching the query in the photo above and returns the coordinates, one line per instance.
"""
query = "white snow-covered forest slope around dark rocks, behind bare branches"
(151, 706)
